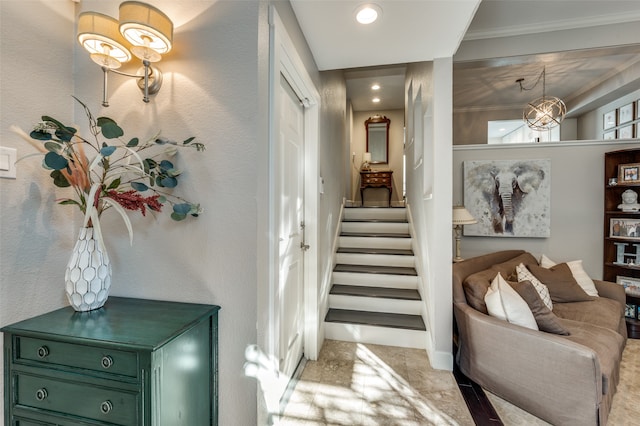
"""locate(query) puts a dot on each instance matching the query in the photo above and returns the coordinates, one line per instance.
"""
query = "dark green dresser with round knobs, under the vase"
(132, 362)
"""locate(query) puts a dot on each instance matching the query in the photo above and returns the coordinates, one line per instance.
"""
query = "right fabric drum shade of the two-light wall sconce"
(148, 29)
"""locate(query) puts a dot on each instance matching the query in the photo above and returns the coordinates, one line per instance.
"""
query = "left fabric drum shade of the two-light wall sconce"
(100, 36)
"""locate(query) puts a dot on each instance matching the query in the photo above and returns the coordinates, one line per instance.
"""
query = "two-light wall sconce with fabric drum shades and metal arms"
(142, 30)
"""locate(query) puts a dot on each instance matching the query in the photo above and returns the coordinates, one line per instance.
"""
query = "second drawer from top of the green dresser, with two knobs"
(112, 406)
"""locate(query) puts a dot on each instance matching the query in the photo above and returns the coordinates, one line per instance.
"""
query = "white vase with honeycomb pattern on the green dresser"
(88, 274)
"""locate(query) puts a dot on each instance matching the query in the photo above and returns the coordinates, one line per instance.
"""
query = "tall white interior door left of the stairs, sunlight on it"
(291, 228)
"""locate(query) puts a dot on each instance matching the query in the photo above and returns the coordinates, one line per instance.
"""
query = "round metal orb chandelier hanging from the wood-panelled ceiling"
(542, 113)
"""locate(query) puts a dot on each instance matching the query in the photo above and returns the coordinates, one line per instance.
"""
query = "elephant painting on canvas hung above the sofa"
(508, 198)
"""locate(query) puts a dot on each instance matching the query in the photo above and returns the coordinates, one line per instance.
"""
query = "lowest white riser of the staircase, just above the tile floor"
(375, 335)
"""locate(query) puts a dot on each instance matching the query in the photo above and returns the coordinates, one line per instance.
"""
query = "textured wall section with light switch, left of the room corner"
(36, 237)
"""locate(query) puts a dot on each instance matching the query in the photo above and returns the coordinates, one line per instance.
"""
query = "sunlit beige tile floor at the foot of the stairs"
(361, 384)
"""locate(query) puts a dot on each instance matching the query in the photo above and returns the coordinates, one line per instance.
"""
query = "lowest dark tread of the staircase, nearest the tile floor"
(380, 319)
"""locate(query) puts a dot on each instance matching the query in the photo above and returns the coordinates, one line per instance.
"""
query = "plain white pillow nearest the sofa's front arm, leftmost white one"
(505, 303)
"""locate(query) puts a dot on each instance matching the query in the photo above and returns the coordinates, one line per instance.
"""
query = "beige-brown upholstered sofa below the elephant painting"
(562, 379)
